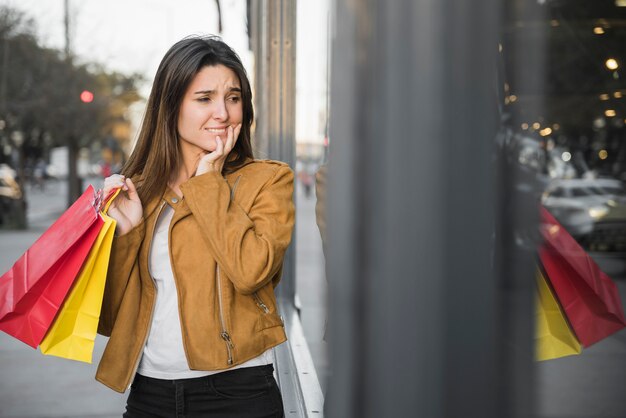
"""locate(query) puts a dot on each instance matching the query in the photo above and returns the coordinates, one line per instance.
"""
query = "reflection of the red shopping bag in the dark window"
(590, 299)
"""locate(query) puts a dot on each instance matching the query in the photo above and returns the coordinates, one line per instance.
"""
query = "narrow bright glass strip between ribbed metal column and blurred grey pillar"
(311, 155)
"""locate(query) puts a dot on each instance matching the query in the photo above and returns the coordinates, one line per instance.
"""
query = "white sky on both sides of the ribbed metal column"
(131, 36)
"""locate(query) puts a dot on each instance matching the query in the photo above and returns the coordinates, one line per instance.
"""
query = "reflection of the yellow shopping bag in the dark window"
(553, 335)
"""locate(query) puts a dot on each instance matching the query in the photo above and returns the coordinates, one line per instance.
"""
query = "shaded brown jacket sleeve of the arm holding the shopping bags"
(122, 264)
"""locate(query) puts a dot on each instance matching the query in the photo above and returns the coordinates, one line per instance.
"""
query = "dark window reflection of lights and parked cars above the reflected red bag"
(567, 130)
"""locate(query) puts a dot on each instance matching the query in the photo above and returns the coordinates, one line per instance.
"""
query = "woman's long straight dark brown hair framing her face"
(157, 157)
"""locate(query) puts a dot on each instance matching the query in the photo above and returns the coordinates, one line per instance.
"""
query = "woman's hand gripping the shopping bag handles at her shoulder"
(126, 210)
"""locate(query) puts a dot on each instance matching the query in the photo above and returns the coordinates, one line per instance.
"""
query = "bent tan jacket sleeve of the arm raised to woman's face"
(249, 247)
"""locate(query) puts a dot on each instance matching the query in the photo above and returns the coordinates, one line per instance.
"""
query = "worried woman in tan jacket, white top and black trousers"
(202, 229)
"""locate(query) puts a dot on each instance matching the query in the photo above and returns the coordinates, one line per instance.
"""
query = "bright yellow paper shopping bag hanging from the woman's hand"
(73, 332)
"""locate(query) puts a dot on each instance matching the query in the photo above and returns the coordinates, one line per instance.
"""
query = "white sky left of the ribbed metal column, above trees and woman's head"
(132, 36)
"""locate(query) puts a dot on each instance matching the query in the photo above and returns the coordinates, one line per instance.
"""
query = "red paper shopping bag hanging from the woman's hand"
(32, 291)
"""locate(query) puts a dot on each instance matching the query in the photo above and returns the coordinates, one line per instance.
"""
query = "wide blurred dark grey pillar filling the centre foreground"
(421, 323)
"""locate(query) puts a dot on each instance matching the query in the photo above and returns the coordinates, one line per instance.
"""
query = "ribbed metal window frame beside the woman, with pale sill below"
(273, 29)
